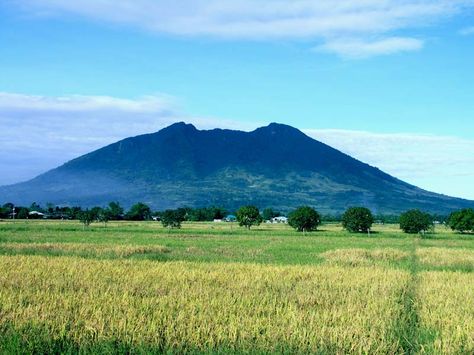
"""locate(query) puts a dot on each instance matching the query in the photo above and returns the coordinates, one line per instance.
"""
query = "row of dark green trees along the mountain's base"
(303, 219)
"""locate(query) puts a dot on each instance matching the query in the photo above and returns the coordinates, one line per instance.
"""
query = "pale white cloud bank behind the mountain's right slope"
(437, 163)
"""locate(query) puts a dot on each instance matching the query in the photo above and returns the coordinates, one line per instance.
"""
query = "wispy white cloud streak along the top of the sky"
(328, 22)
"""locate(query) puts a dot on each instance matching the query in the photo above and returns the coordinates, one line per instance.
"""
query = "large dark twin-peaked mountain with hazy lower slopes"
(275, 166)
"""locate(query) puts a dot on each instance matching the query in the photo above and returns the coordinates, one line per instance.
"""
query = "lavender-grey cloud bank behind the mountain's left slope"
(38, 133)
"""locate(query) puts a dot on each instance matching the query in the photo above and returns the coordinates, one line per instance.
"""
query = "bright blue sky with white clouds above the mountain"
(389, 82)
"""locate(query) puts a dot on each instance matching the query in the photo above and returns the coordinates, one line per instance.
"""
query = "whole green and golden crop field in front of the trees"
(217, 288)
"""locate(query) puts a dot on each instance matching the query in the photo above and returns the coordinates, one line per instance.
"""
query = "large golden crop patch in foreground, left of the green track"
(183, 306)
